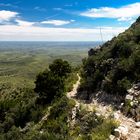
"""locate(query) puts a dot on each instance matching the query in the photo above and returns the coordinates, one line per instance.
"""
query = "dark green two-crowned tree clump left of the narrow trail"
(51, 83)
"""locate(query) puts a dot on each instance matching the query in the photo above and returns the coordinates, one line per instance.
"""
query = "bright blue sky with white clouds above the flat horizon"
(65, 20)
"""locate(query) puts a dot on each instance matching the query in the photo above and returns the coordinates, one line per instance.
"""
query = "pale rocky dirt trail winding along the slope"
(130, 124)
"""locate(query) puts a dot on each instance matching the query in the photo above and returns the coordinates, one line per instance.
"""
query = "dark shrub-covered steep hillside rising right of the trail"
(114, 66)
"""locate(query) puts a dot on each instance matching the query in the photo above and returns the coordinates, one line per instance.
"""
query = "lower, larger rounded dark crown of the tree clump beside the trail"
(48, 86)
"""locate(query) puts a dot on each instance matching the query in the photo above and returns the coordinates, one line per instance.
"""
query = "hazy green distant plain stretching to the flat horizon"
(20, 62)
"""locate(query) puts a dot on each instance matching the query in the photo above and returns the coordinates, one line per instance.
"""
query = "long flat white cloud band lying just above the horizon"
(33, 33)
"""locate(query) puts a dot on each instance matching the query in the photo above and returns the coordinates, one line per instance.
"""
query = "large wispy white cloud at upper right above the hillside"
(123, 13)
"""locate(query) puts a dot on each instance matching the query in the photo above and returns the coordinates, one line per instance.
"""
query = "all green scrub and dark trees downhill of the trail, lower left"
(46, 113)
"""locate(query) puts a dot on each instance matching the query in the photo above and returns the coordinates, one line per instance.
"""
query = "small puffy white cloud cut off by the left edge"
(7, 15)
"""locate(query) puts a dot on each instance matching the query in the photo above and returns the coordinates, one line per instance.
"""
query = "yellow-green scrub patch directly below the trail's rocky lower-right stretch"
(91, 126)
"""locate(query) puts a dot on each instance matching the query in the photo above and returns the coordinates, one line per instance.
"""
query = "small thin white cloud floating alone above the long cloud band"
(57, 22)
